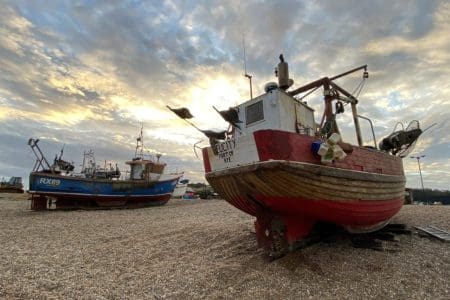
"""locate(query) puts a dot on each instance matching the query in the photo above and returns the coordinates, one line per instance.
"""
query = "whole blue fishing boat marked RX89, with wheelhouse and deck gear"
(95, 187)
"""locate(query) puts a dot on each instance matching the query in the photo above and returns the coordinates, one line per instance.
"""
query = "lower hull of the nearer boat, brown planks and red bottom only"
(298, 195)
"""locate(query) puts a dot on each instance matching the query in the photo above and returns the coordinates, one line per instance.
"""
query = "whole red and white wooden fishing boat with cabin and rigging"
(277, 164)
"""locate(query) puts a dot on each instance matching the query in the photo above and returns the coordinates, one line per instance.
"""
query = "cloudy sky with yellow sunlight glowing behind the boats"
(88, 74)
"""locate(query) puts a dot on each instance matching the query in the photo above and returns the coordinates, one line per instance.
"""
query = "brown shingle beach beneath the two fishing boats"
(203, 249)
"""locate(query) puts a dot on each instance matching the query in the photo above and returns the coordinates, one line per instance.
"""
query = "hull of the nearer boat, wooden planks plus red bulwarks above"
(288, 190)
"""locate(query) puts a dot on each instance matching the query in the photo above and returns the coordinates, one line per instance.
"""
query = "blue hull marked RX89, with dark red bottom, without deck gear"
(73, 192)
